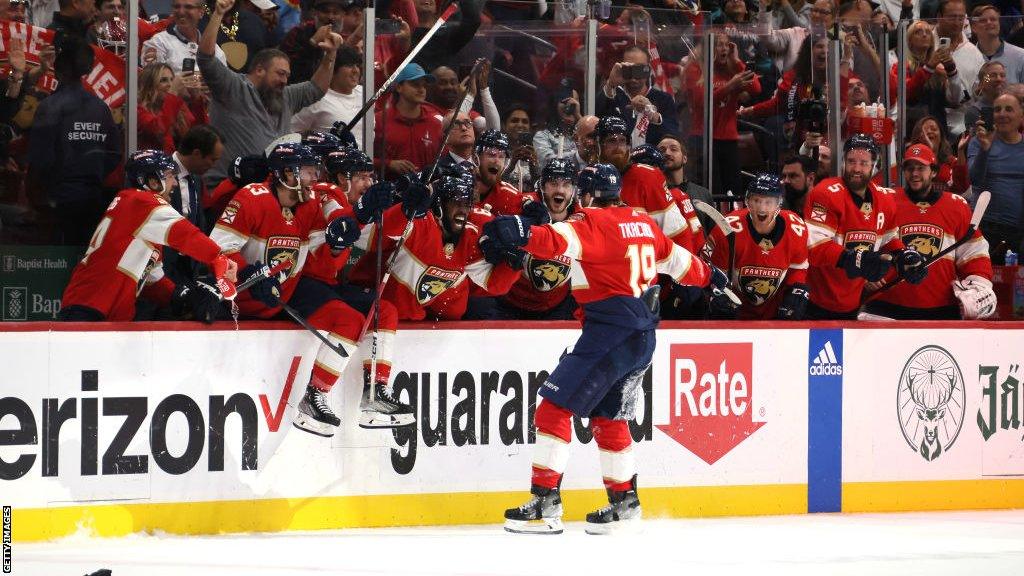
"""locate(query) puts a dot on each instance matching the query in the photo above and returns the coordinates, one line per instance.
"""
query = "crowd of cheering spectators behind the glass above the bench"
(223, 79)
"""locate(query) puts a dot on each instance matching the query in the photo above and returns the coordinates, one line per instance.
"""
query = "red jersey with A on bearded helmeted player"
(837, 221)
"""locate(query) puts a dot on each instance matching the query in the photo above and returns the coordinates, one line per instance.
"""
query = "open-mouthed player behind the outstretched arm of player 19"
(543, 290)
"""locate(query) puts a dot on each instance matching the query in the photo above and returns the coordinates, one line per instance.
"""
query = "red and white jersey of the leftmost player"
(125, 253)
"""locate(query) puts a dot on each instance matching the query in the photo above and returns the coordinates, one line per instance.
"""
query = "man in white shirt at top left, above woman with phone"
(177, 47)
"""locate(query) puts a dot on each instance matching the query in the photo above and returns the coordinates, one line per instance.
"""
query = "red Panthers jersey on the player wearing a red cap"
(928, 228)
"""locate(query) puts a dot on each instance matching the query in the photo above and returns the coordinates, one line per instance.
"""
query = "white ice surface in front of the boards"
(971, 544)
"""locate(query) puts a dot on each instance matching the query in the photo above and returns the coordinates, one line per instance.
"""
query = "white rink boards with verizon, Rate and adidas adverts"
(179, 429)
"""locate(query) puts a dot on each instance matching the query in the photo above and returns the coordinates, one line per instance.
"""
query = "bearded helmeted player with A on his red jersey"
(852, 236)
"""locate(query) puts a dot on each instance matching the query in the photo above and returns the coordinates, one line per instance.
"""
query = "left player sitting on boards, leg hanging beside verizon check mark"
(281, 221)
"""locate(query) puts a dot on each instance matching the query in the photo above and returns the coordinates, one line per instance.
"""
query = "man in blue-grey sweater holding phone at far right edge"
(995, 162)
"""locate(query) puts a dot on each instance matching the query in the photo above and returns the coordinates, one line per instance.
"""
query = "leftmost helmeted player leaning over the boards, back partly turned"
(123, 260)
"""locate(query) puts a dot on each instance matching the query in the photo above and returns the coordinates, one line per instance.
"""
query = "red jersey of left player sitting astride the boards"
(255, 227)
